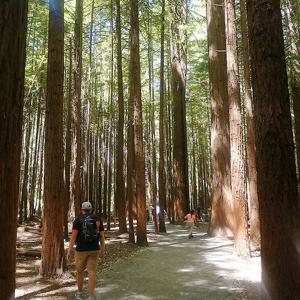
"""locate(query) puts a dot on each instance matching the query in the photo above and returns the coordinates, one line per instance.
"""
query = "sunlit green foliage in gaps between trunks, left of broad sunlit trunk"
(98, 50)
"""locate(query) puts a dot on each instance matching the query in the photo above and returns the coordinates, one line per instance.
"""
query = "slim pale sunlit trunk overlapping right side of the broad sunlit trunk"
(239, 197)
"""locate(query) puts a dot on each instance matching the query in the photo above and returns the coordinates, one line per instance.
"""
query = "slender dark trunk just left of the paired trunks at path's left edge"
(120, 184)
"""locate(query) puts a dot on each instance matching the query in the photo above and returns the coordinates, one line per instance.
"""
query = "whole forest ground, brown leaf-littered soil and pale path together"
(172, 267)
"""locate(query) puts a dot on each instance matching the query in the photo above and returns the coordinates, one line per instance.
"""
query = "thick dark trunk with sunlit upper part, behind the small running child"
(181, 182)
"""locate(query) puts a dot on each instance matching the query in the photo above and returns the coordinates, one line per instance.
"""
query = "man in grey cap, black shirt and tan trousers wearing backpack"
(87, 232)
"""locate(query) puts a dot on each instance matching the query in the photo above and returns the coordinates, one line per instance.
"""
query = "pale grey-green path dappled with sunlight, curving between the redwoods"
(178, 268)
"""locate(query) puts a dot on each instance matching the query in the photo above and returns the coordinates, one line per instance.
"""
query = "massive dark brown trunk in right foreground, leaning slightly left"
(276, 172)
